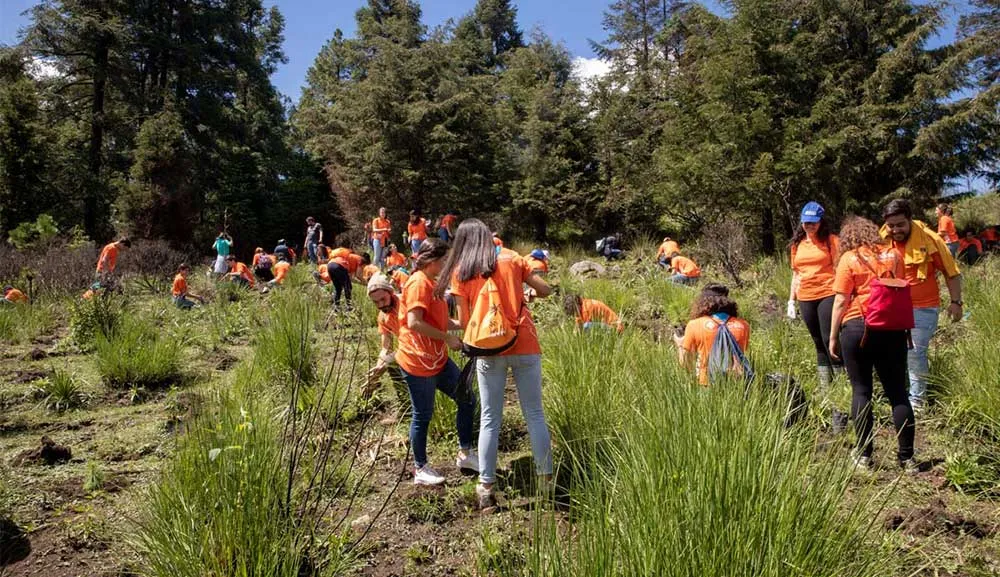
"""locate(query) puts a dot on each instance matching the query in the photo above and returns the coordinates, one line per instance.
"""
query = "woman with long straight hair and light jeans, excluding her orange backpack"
(473, 259)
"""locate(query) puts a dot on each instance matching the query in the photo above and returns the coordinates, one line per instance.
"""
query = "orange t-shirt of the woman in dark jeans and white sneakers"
(417, 354)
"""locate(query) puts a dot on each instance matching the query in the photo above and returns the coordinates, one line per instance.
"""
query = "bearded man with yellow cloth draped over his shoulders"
(924, 254)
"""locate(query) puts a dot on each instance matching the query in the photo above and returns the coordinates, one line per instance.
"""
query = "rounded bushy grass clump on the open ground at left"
(138, 355)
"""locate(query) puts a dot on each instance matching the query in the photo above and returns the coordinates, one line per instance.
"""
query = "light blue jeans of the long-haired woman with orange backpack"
(492, 373)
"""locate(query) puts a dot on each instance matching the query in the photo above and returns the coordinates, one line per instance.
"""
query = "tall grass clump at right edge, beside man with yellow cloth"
(966, 373)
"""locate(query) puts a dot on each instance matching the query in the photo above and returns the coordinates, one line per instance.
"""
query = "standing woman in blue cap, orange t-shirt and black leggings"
(815, 252)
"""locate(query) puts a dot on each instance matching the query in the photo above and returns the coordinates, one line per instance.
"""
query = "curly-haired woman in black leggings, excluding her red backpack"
(864, 256)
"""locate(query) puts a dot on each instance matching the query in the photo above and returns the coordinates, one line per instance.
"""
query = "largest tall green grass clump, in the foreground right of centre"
(694, 481)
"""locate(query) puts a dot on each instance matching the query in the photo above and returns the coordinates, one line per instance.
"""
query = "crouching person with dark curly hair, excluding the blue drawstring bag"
(712, 310)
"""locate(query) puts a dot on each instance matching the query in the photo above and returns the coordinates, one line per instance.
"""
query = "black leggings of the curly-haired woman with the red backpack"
(885, 352)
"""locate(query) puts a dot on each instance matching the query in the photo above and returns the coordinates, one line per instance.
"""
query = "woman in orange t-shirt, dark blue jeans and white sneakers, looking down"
(422, 355)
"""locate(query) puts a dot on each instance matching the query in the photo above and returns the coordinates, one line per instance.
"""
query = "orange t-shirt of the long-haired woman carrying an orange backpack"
(509, 276)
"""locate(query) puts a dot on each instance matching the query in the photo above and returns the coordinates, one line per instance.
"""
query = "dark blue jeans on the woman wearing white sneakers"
(422, 392)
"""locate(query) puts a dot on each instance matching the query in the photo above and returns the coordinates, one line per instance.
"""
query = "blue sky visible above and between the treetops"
(310, 23)
